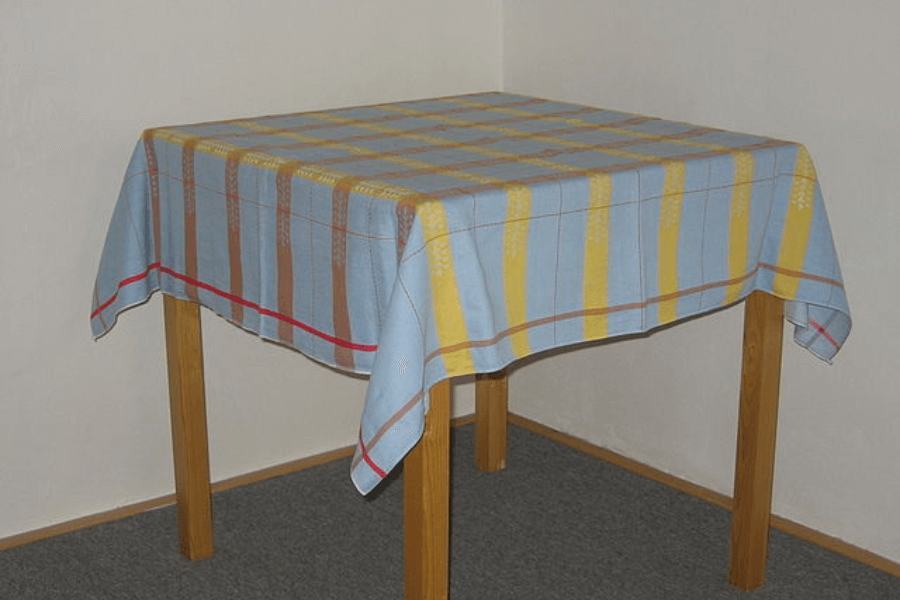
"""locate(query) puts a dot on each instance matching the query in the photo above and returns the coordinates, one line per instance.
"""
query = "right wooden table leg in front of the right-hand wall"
(757, 422)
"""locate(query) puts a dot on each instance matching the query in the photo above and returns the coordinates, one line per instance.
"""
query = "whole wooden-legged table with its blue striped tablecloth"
(419, 241)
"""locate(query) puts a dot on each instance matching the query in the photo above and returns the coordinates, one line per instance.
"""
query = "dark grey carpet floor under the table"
(556, 524)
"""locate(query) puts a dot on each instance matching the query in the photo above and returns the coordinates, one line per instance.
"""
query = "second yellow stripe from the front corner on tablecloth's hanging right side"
(515, 259)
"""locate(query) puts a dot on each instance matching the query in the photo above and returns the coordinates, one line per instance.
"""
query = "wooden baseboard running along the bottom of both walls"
(801, 531)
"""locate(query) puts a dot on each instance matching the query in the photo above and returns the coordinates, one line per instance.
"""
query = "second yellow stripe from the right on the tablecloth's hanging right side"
(739, 223)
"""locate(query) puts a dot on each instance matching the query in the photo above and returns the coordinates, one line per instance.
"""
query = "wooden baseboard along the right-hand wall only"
(786, 525)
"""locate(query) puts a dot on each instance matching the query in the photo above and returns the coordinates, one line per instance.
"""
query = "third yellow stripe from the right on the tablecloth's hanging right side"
(669, 224)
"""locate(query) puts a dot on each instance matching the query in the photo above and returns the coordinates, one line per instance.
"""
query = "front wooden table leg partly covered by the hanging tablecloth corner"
(426, 487)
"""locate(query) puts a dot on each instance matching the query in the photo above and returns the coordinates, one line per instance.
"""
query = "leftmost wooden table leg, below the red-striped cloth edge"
(184, 350)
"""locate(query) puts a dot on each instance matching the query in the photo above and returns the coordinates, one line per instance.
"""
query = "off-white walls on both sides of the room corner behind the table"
(84, 426)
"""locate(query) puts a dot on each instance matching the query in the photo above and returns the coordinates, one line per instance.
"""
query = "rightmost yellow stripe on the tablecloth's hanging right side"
(797, 224)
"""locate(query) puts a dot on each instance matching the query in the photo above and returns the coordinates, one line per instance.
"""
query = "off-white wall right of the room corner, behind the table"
(822, 72)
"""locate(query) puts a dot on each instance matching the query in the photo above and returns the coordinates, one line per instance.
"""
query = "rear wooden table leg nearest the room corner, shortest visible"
(490, 421)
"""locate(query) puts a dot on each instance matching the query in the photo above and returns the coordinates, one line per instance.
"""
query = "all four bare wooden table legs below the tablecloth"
(426, 468)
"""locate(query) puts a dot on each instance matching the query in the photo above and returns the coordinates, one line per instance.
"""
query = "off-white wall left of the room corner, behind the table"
(84, 425)
